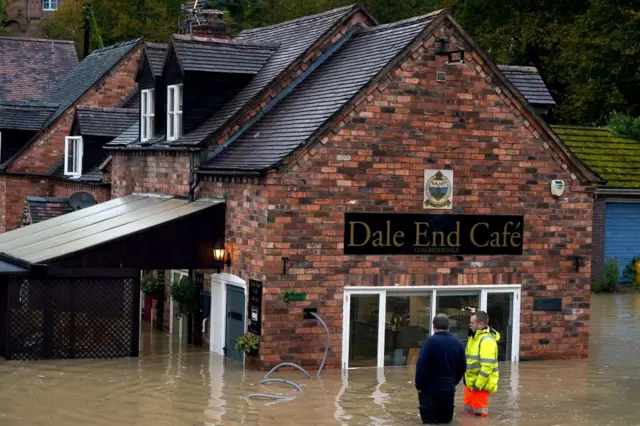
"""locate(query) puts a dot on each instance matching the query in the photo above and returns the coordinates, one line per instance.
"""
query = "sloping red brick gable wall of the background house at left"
(48, 149)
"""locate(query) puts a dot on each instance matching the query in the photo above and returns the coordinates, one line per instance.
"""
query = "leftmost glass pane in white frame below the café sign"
(363, 330)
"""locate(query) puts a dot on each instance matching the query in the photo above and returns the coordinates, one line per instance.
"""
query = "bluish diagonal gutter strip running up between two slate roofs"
(284, 93)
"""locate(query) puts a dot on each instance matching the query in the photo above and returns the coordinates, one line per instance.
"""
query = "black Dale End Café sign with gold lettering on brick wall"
(400, 233)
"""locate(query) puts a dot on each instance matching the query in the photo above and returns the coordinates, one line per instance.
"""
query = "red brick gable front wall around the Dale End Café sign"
(501, 166)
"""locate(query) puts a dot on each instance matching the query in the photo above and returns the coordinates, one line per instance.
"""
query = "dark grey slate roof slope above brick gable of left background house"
(87, 73)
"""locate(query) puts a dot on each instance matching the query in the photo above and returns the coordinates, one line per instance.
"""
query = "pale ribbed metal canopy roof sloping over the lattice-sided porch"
(102, 224)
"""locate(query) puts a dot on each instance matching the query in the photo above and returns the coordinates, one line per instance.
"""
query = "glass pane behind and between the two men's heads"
(459, 306)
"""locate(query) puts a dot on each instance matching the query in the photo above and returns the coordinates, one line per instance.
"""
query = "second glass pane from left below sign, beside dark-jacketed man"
(406, 328)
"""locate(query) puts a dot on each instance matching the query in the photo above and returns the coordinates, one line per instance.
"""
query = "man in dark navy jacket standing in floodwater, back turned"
(441, 365)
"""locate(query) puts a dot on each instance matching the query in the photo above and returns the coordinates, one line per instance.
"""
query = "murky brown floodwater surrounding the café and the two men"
(171, 384)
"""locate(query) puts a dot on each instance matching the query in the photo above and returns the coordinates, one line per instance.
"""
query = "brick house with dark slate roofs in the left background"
(68, 118)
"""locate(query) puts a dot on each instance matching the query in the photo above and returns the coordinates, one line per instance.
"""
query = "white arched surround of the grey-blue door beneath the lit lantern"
(219, 325)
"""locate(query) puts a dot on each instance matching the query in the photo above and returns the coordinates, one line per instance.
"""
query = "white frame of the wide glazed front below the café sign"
(432, 291)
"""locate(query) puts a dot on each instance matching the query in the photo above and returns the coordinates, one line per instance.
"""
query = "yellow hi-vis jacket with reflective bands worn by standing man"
(482, 360)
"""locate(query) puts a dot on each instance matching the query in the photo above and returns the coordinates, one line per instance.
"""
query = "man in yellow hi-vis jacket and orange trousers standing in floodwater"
(481, 377)
